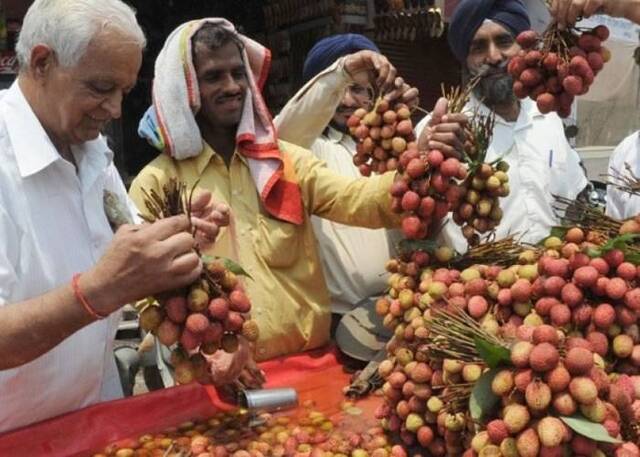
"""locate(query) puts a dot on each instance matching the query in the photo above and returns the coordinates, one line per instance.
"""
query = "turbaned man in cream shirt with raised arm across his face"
(316, 118)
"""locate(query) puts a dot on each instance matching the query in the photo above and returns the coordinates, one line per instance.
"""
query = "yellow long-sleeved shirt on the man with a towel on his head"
(288, 292)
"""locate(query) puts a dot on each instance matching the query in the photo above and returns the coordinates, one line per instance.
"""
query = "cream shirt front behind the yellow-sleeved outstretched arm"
(353, 258)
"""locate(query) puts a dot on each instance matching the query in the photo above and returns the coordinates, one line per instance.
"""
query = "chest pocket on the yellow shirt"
(278, 242)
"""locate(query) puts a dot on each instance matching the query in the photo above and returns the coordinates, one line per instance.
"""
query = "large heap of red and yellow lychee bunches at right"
(560, 324)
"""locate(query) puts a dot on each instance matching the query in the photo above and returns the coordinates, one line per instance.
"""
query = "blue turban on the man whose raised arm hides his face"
(330, 49)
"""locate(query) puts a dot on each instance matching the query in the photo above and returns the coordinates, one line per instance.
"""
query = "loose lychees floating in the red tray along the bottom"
(310, 434)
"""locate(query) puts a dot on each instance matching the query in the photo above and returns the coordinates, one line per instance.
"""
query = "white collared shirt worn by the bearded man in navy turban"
(542, 163)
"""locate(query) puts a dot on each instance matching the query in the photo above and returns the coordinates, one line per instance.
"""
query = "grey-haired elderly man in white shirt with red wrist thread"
(63, 274)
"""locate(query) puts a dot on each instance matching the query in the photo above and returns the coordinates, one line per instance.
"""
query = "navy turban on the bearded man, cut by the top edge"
(470, 14)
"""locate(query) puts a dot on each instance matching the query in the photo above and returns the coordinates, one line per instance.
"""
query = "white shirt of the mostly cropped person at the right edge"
(622, 205)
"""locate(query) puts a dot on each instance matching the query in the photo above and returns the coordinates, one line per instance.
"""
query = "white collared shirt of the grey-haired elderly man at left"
(53, 225)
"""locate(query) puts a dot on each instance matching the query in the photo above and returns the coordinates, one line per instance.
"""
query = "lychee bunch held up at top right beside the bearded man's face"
(555, 68)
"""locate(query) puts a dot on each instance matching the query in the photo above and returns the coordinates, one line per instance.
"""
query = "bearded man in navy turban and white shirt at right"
(482, 35)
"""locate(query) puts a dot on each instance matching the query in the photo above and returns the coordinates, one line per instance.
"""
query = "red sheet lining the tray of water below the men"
(315, 375)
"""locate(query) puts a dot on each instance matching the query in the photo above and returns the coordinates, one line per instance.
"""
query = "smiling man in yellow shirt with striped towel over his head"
(215, 130)
